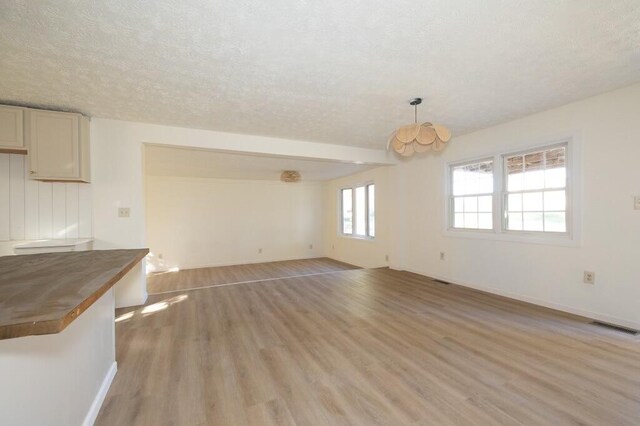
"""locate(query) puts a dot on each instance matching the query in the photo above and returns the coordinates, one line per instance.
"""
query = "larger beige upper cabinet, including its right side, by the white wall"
(58, 146)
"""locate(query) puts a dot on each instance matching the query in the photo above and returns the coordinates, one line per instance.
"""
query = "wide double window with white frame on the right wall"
(519, 193)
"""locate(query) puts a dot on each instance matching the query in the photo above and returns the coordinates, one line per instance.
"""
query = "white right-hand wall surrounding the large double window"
(607, 129)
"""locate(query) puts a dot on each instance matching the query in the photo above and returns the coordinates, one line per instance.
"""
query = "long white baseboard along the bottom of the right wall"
(540, 302)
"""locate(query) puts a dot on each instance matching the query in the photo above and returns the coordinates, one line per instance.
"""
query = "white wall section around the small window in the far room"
(360, 252)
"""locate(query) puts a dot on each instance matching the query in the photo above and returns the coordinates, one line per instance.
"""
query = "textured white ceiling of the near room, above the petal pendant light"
(329, 71)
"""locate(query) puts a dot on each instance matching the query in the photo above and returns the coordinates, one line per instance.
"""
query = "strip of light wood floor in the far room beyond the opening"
(204, 277)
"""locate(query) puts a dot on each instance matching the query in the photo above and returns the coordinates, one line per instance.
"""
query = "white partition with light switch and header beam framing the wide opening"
(117, 177)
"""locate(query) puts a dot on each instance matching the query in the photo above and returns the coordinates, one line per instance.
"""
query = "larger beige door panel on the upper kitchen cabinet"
(53, 145)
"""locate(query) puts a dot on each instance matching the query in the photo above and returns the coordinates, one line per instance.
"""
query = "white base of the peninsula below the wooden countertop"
(59, 379)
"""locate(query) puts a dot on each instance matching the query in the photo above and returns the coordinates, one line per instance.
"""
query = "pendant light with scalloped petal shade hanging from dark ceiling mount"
(408, 140)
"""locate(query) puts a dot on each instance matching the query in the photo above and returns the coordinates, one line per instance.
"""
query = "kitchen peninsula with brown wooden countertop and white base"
(57, 341)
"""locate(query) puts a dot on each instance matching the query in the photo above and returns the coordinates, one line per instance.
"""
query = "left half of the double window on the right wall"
(471, 199)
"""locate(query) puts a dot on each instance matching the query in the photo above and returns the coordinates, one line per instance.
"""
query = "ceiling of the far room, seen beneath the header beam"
(170, 161)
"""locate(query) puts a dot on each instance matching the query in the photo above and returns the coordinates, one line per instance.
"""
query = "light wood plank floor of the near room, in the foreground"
(366, 347)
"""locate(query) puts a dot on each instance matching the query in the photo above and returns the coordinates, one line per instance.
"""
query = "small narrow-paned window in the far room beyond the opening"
(357, 211)
